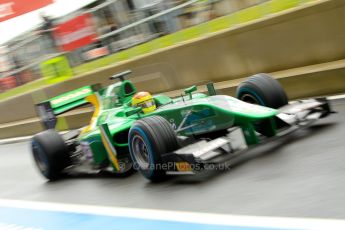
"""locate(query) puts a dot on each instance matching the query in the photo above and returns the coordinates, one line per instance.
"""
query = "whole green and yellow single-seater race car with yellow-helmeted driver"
(158, 135)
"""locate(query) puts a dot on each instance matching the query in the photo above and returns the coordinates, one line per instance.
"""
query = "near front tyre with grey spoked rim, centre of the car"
(149, 138)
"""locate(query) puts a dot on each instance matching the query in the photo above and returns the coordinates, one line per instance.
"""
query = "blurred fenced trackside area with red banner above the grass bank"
(102, 28)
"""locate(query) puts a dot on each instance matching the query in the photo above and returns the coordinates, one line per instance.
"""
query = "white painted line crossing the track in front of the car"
(181, 216)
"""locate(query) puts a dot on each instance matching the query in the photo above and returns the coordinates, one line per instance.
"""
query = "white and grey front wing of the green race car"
(192, 157)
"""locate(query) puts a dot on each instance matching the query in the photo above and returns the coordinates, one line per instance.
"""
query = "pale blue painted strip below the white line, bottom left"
(51, 220)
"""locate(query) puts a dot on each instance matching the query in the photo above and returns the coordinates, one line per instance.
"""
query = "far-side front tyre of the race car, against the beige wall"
(263, 90)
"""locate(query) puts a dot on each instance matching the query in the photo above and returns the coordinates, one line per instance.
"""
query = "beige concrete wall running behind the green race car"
(302, 47)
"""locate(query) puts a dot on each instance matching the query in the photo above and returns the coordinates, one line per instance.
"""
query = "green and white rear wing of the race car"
(49, 109)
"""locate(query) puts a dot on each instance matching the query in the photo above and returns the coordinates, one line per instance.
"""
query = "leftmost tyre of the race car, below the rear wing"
(50, 154)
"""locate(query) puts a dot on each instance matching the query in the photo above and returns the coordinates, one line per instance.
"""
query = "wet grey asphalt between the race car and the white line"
(302, 175)
